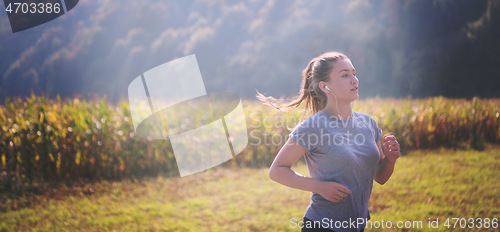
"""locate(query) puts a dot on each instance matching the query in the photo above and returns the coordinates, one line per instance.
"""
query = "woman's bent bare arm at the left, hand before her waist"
(281, 172)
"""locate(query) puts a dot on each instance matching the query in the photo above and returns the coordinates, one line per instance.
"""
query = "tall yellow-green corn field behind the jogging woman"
(44, 140)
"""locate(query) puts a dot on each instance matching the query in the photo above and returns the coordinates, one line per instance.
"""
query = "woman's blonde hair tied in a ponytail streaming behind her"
(317, 70)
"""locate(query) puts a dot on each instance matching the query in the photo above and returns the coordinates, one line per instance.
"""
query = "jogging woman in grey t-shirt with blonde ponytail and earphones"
(342, 148)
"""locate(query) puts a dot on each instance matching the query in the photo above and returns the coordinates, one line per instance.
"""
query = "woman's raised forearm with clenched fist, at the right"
(386, 166)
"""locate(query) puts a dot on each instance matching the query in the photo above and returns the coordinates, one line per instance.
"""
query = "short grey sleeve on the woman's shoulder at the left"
(306, 135)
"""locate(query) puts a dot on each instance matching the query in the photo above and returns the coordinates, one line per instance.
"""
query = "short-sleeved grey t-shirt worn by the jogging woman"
(343, 151)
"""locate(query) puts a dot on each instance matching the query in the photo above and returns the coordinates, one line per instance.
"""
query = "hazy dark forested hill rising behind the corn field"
(413, 48)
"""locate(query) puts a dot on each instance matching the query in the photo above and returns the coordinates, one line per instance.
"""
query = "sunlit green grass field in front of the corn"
(426, 184)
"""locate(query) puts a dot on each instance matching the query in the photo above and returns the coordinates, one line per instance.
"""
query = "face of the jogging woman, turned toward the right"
(343, 81)
